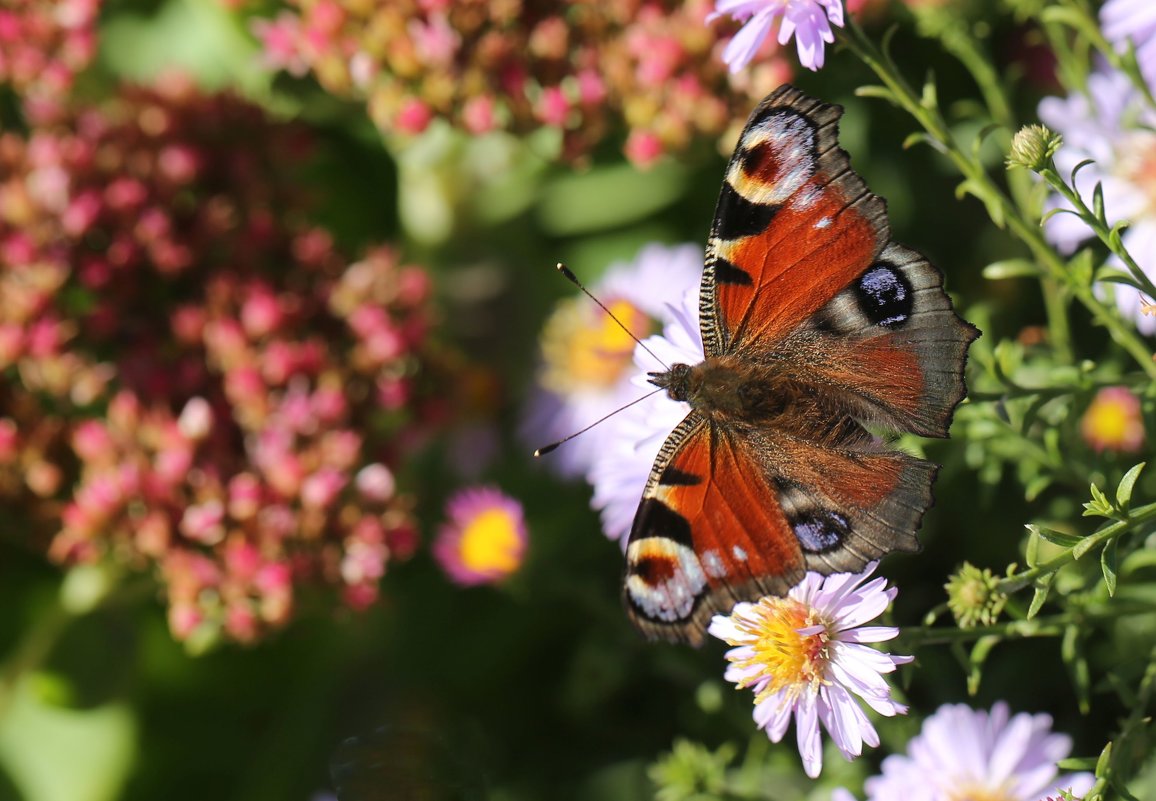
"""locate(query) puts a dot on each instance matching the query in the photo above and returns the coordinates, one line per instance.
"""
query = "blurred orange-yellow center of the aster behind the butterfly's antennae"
(586, 350)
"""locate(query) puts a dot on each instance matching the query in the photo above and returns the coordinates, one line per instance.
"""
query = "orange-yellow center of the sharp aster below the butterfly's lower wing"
(790, 659)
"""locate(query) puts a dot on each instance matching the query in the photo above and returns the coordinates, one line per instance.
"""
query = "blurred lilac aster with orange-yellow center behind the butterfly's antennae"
(588, 358)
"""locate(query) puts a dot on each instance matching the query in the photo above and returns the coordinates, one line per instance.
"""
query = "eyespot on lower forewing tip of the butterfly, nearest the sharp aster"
(664, 578)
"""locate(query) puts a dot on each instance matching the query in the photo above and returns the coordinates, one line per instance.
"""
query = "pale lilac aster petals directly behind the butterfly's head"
(634, 437)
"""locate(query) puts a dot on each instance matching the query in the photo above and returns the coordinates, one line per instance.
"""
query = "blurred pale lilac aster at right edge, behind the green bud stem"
(1113, 127)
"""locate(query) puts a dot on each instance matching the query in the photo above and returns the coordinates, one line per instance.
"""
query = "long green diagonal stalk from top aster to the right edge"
(998, 204)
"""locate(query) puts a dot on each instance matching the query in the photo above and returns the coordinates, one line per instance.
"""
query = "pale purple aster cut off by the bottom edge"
(972, 754)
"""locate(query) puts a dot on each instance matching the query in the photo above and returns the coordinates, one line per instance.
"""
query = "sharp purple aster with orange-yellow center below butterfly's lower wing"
(805, 656)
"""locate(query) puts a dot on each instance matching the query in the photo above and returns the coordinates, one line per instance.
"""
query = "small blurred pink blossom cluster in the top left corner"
(43, 46)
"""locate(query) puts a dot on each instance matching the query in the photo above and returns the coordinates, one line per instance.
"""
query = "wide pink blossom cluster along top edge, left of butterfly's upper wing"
(582, 68)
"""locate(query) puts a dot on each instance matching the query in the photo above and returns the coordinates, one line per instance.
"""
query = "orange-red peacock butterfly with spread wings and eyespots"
(818, 330)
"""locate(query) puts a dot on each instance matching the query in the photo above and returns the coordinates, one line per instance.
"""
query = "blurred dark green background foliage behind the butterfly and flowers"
(539, 688)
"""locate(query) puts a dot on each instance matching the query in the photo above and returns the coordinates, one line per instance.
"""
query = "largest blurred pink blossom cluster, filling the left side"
(191, 382)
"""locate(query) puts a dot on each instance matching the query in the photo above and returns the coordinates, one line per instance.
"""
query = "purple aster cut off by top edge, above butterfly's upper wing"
(810, 21)
